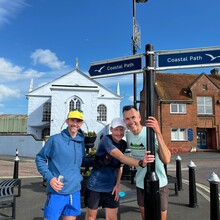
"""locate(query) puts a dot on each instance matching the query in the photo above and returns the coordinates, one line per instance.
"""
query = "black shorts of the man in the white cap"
(100, 199)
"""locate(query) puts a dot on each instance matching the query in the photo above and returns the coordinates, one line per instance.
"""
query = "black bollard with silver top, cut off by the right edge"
(214, 197)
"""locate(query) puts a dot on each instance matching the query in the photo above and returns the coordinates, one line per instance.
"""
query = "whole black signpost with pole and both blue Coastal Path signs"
(178, 59)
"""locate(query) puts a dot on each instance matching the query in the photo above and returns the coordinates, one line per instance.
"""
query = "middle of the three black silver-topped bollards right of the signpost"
(192, 186)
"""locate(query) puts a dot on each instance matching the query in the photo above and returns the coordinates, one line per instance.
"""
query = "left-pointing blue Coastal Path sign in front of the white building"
(119, 66)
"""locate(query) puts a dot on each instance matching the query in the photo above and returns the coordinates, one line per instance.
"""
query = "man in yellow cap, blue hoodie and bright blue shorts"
(62, 155)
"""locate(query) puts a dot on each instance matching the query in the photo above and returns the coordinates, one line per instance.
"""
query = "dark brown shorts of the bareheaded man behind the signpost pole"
(164, 193)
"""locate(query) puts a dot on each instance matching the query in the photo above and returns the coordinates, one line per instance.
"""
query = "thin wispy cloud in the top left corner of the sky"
(9, 9)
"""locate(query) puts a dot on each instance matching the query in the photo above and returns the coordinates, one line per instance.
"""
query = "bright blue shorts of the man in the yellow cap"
(57, 205)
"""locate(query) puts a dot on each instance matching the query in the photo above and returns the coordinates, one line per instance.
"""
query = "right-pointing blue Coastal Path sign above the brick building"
(189, 58)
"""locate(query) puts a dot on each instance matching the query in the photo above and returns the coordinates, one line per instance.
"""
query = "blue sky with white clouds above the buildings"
(41, 39)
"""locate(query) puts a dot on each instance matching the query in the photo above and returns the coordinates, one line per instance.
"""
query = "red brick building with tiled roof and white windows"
(188, 110)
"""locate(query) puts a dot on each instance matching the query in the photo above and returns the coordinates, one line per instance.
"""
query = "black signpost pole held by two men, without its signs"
(151, 181)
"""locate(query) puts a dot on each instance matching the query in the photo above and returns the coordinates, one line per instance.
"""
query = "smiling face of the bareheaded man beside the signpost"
(132, 120)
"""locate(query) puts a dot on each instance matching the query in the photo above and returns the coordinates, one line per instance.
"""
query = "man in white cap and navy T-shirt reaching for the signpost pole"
(104, 181)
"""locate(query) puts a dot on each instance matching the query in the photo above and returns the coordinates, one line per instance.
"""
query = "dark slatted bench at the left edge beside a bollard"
(9, 190)
